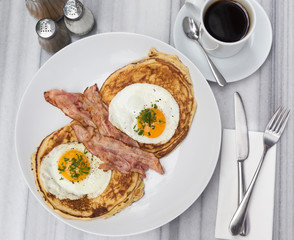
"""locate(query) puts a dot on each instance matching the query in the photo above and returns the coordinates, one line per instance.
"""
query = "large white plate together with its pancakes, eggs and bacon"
(118, 129)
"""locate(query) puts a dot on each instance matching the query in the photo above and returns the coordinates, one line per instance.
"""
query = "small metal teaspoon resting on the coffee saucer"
(192, 31)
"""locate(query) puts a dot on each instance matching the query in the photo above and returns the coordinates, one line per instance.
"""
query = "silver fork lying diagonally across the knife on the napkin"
(272, 134)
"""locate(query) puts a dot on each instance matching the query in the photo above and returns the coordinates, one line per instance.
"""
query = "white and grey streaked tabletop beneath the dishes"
(22, 217)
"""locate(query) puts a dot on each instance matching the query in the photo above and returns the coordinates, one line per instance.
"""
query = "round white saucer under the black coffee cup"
(234, 68)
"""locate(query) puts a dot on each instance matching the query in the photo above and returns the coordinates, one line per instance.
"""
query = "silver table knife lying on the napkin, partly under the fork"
(242, 150)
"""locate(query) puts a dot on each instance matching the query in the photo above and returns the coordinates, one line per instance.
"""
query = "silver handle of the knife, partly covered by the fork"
(241, 192)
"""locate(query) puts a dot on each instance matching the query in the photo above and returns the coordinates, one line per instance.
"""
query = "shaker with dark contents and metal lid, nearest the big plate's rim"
(52, 36)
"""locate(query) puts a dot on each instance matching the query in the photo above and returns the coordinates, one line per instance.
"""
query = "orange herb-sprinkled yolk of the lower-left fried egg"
(74, 165)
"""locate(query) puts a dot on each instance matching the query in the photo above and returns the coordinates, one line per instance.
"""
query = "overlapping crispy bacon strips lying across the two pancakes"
(116, 149)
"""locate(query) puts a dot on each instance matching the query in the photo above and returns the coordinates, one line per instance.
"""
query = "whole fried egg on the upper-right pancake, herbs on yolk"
(146, 112)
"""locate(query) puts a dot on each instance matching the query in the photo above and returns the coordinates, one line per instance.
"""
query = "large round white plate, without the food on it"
(188, 168)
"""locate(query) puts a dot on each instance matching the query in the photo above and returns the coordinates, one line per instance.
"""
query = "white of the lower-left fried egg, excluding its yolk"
(54, 182)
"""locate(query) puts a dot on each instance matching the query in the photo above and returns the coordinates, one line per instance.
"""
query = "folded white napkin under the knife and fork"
(261, 206)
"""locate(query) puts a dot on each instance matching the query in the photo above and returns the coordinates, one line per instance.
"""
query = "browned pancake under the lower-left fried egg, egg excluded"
(122, 190)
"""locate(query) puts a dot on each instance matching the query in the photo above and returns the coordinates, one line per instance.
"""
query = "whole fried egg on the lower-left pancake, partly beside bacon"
(70, 171)
